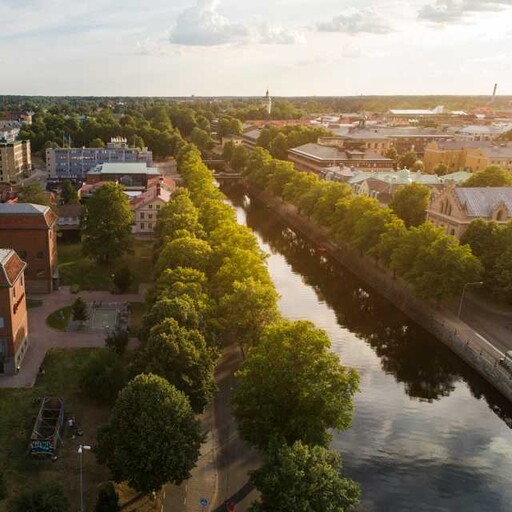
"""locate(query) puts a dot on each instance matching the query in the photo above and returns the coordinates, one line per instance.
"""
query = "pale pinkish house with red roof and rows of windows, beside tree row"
(147, 205)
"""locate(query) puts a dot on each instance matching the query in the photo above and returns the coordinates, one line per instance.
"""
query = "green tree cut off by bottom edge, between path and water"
(303, 479)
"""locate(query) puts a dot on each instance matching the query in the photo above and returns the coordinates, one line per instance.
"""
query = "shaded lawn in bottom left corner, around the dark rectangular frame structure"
(18, 412)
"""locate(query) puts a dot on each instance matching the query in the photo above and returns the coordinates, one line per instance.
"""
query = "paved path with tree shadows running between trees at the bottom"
(222, 471)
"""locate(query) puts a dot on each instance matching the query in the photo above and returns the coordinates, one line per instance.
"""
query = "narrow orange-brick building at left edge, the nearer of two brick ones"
(13, 312)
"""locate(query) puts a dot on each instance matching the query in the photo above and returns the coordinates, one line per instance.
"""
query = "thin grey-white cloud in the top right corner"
(453, 11)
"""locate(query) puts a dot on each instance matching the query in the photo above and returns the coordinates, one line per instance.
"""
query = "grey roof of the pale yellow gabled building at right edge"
(481, 201)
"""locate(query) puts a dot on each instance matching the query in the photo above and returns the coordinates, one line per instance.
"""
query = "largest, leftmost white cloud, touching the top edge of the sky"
(204, 25)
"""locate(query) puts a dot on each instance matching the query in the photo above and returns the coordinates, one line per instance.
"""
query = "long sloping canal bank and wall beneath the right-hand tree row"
(438, 320)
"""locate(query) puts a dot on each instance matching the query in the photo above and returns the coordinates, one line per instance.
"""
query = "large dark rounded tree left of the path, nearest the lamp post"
(152, 437)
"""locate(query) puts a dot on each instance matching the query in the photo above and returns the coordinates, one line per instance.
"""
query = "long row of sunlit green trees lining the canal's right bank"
(435, 264)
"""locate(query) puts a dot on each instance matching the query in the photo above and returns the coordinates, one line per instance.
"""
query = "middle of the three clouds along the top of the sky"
(359, 21)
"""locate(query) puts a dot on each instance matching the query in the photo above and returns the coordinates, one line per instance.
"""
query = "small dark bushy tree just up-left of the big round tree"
(103, 376)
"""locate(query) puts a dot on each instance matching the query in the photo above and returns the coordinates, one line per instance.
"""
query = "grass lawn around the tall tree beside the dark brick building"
(89, 275)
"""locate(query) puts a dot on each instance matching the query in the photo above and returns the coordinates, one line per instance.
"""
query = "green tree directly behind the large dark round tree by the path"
(180, 356)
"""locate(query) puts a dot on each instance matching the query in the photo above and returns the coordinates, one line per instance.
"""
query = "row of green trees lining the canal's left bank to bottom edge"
(292, 389)
